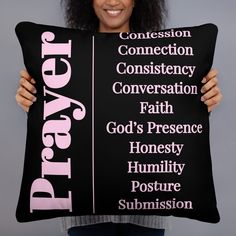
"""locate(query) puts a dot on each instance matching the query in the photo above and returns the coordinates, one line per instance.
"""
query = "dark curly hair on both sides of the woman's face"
(148, 15)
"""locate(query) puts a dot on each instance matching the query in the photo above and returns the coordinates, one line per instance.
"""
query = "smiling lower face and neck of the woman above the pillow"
(113, 15)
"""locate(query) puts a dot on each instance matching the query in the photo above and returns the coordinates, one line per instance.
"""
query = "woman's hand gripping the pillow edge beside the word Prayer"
(25, 94)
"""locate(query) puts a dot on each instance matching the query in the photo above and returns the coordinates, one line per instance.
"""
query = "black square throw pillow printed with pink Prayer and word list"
(118, 126)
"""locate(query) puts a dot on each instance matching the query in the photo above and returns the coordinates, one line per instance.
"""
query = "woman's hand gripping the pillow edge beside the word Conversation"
(211, 91)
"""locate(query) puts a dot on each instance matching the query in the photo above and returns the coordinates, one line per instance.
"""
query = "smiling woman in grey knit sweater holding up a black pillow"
(116, 16)
